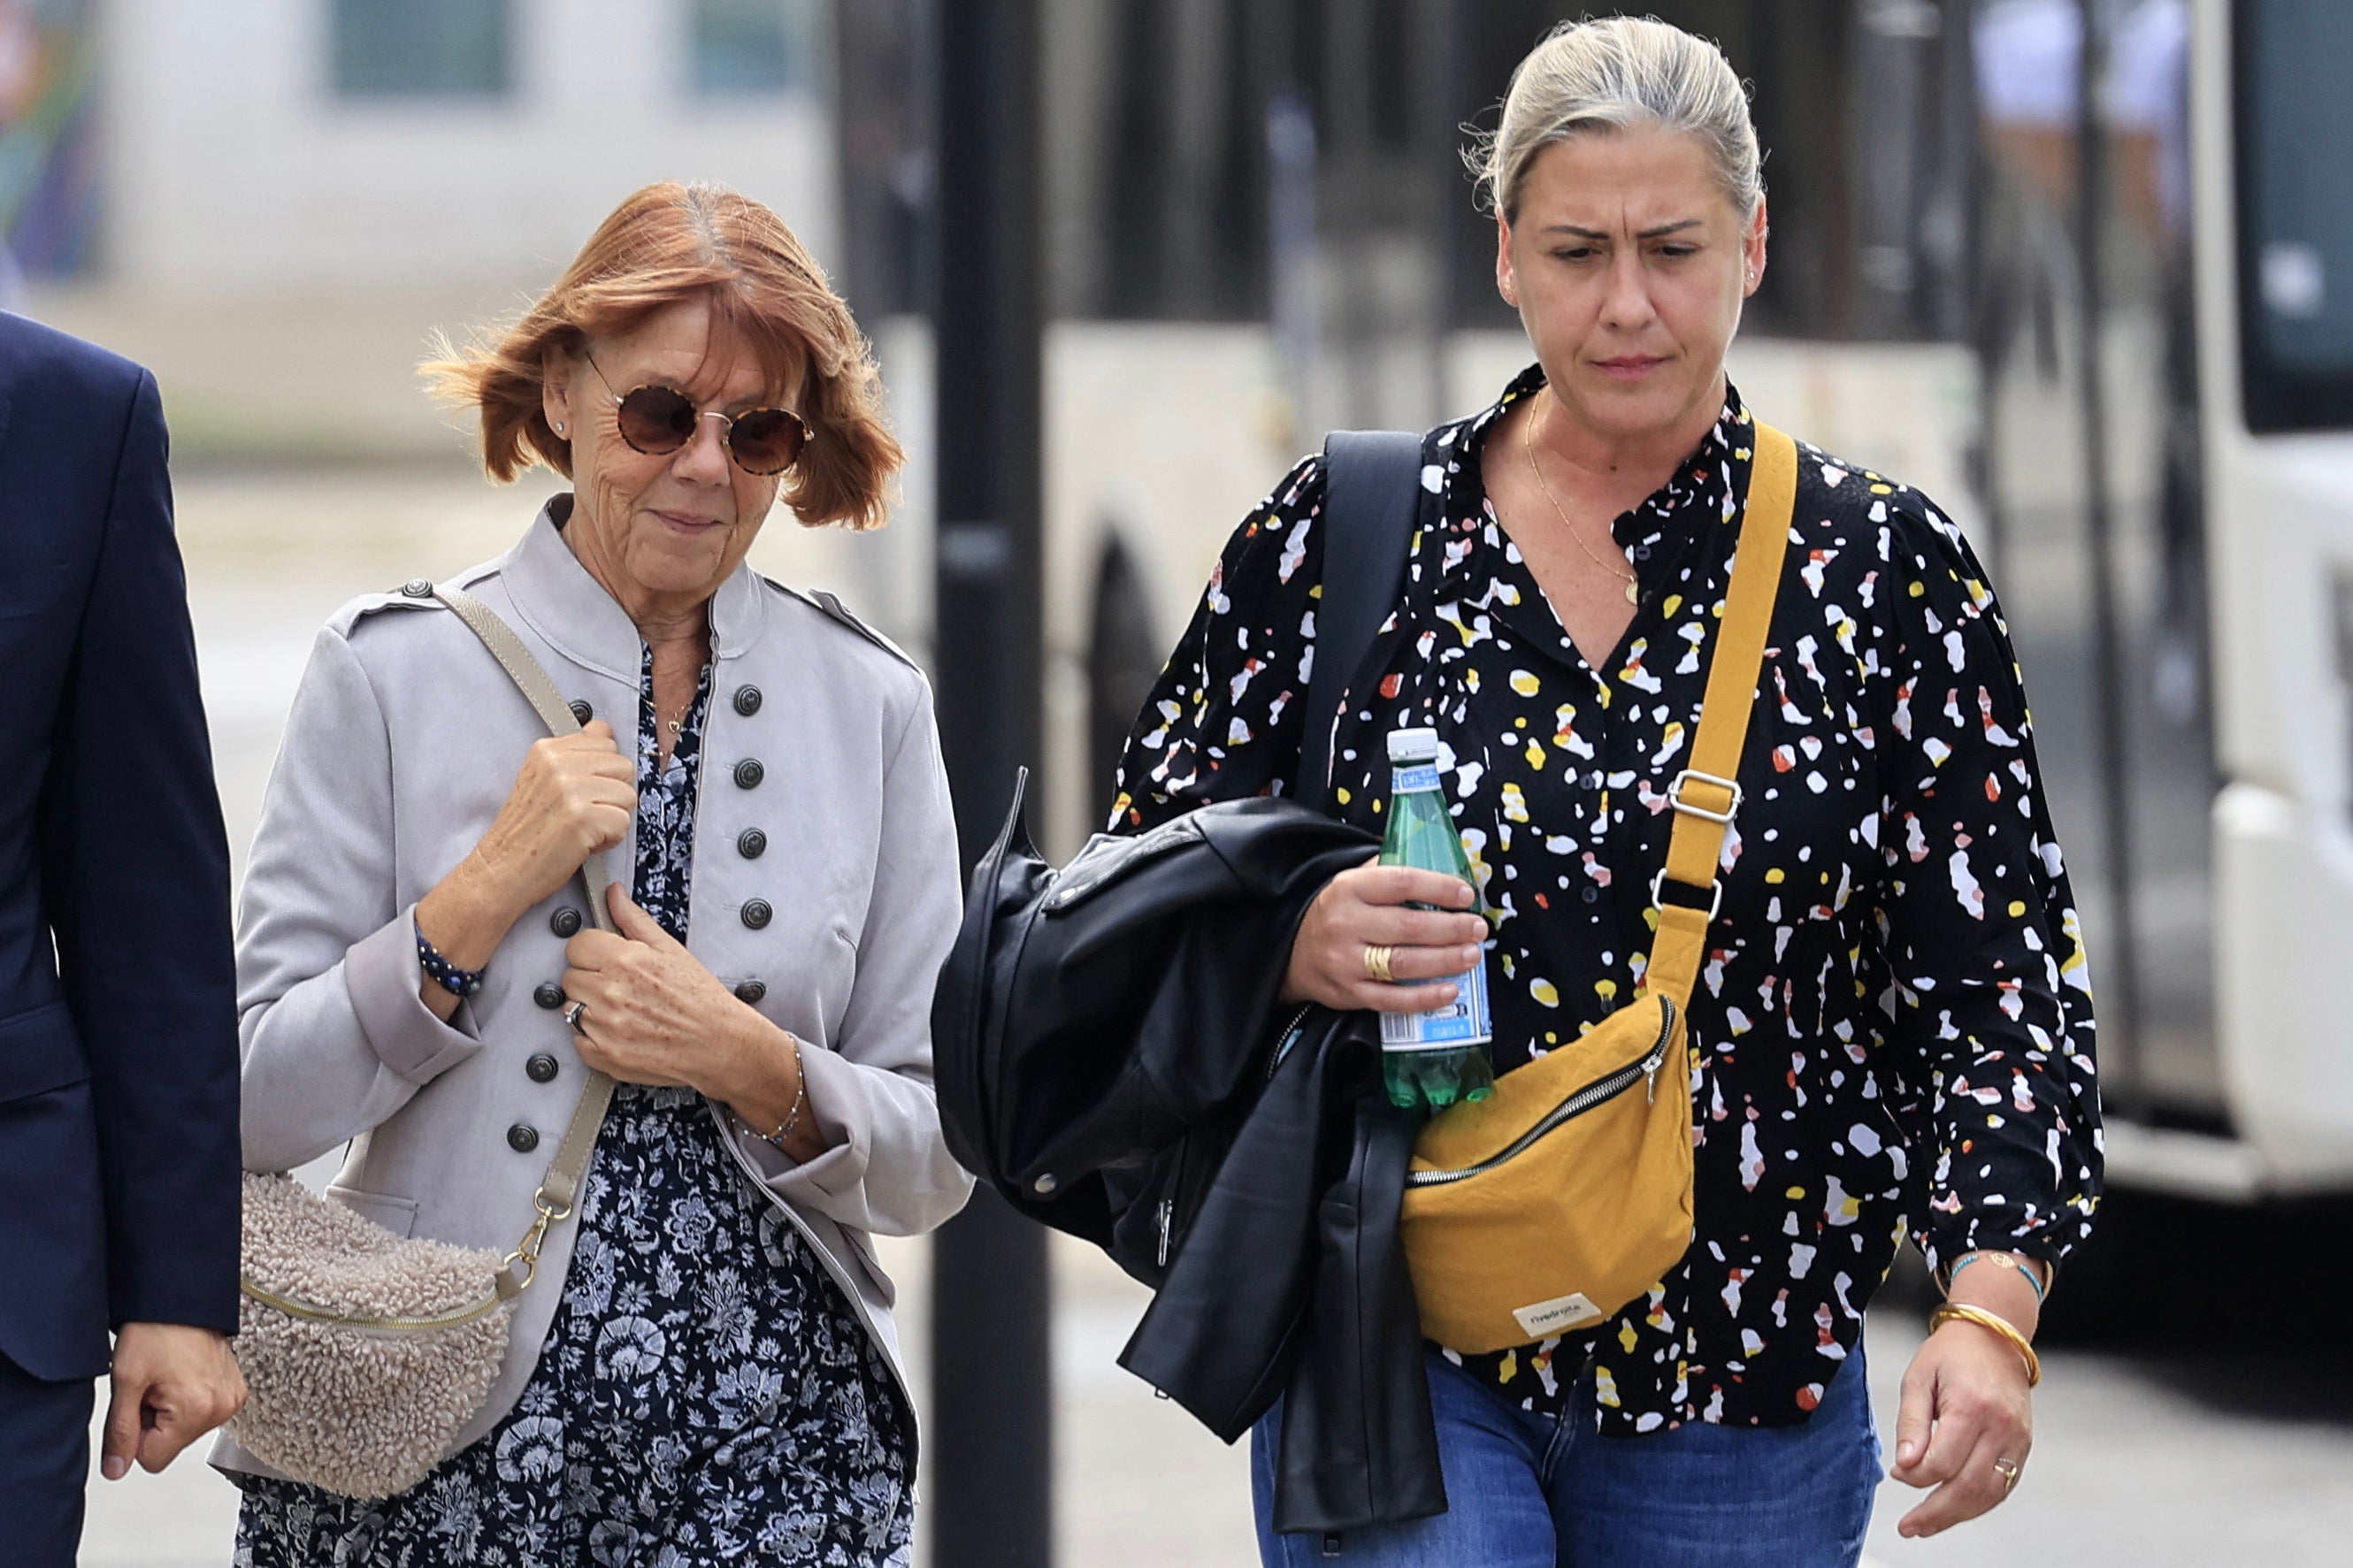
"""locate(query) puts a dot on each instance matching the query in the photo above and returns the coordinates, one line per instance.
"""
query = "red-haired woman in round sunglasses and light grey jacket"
(707, 1360)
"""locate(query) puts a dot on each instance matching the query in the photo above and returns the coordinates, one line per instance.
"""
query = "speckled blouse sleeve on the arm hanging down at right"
(1978, 923)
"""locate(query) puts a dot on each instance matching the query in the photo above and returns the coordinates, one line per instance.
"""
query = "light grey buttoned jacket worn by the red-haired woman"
(404, 744)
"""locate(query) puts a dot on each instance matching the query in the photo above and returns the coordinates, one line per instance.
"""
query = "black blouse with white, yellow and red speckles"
(1893, 1028)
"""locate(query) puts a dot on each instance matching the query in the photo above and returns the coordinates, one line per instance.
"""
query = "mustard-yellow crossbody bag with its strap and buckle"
(1568, 1193)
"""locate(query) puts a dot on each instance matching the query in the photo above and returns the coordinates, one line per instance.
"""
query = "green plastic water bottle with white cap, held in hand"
(1432, 1059)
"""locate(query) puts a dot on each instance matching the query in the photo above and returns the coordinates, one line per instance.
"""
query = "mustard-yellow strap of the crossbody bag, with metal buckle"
(1707, 793)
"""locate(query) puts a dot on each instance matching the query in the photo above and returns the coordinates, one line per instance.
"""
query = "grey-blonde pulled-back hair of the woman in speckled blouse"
(1608, 74)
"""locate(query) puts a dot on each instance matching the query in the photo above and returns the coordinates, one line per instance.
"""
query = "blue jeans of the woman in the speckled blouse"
(1533, 1492)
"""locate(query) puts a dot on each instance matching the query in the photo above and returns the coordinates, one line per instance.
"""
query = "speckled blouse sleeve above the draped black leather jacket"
(1225, 721)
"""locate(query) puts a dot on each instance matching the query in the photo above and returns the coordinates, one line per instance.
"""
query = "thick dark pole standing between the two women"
(992, 1405)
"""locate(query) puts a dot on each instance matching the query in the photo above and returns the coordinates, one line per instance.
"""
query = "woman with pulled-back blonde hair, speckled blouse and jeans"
(1893, 1026)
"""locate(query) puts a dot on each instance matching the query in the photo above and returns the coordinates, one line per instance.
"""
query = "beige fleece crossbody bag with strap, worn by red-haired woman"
(364, 1351)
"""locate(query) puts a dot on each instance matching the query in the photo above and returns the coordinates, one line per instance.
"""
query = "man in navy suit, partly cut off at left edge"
(119, 1038)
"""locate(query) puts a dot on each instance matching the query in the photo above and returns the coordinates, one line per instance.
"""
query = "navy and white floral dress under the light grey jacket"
(705, 1395)
